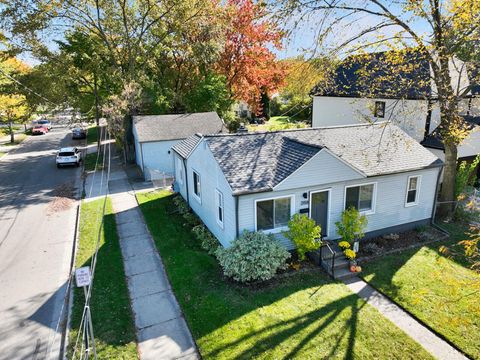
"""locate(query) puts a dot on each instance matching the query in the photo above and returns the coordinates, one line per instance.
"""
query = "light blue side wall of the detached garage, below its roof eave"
(159, 155)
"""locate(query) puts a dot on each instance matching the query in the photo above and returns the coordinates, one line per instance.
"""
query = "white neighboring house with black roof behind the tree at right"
(368, 88)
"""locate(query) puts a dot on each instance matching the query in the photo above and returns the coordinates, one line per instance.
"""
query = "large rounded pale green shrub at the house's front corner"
(253, 256)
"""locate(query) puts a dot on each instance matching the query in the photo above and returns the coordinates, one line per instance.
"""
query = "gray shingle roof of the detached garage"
(176, 126)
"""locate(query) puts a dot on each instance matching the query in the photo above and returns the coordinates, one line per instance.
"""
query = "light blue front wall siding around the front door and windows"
(390, 207)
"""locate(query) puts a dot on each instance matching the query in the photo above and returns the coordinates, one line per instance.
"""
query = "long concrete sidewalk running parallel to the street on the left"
(161, 329)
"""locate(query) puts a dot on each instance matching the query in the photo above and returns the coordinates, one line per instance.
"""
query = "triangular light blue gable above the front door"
(323, 168)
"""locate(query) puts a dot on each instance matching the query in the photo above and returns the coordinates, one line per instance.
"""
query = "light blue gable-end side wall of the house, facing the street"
(211, 177)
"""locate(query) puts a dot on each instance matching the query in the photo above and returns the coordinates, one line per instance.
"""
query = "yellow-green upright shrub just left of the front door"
(304, 233)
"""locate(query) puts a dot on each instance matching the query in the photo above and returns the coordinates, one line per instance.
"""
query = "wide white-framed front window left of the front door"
(273, 213)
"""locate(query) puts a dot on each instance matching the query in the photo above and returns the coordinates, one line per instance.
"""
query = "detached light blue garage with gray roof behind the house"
(154, 136)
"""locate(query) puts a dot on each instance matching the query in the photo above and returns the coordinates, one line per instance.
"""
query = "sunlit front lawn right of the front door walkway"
(440, 291)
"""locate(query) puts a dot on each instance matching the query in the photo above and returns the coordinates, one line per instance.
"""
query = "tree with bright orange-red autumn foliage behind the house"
(247, 61)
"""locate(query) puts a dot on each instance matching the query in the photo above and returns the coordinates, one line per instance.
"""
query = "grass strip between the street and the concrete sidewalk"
(110, 306)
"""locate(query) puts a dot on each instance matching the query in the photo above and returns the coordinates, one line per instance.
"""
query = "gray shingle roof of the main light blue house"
(259, 161)
